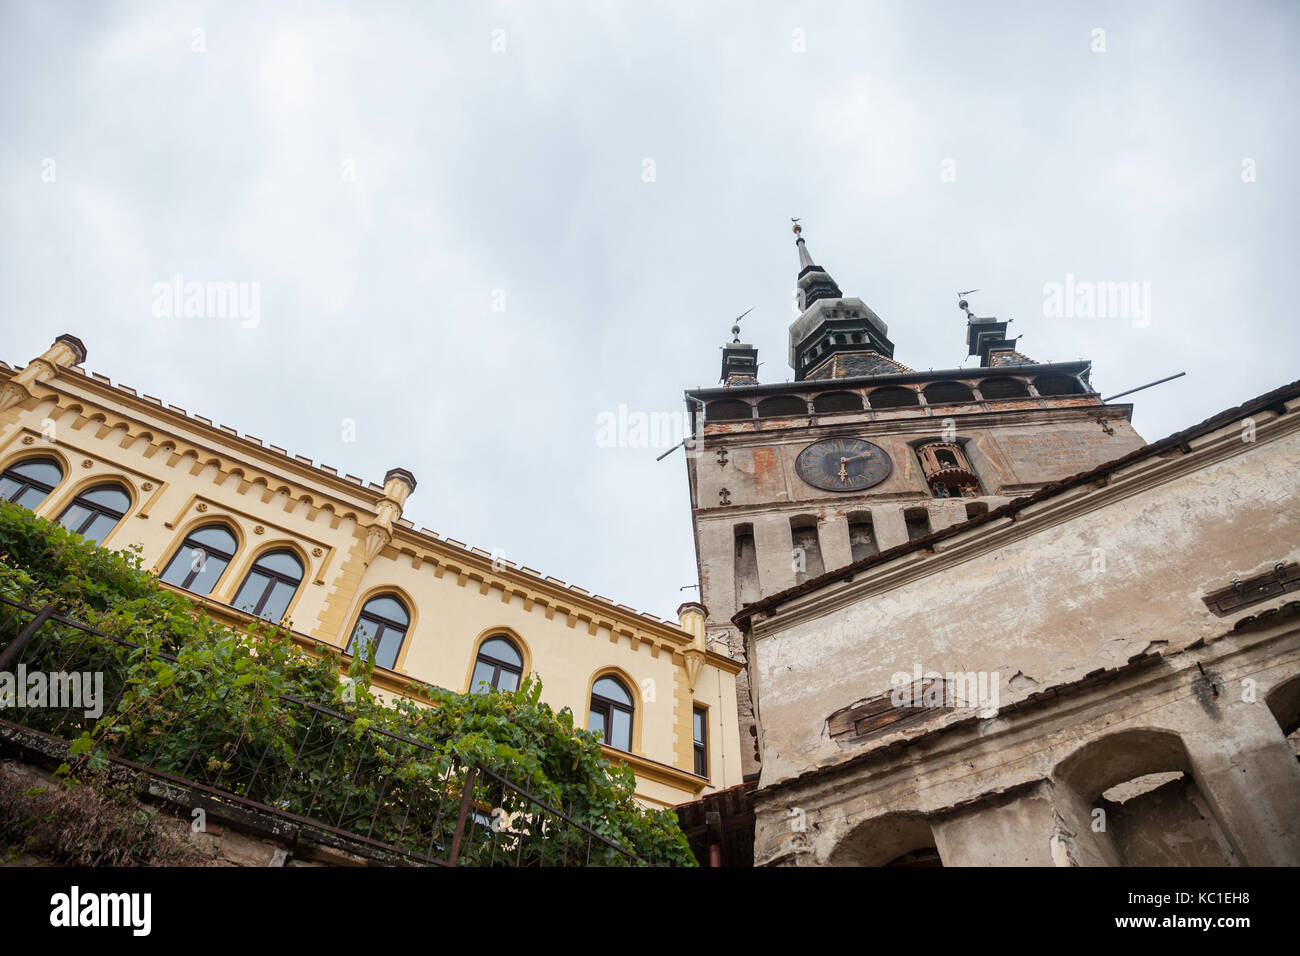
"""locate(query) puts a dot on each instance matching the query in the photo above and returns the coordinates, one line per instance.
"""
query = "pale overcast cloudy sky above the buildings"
(475, 228)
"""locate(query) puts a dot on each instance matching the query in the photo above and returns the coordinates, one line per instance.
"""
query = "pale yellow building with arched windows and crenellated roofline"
(253, 530)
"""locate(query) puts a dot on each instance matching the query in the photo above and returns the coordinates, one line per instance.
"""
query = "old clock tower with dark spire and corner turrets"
(860, 455)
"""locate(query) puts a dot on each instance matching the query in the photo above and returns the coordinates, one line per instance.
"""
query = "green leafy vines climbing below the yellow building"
(253, 715)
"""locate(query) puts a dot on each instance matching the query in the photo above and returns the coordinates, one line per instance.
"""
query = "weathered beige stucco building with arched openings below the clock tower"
(1141, 641)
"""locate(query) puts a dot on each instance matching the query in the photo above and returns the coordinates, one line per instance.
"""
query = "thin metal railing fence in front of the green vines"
(293, 759)
